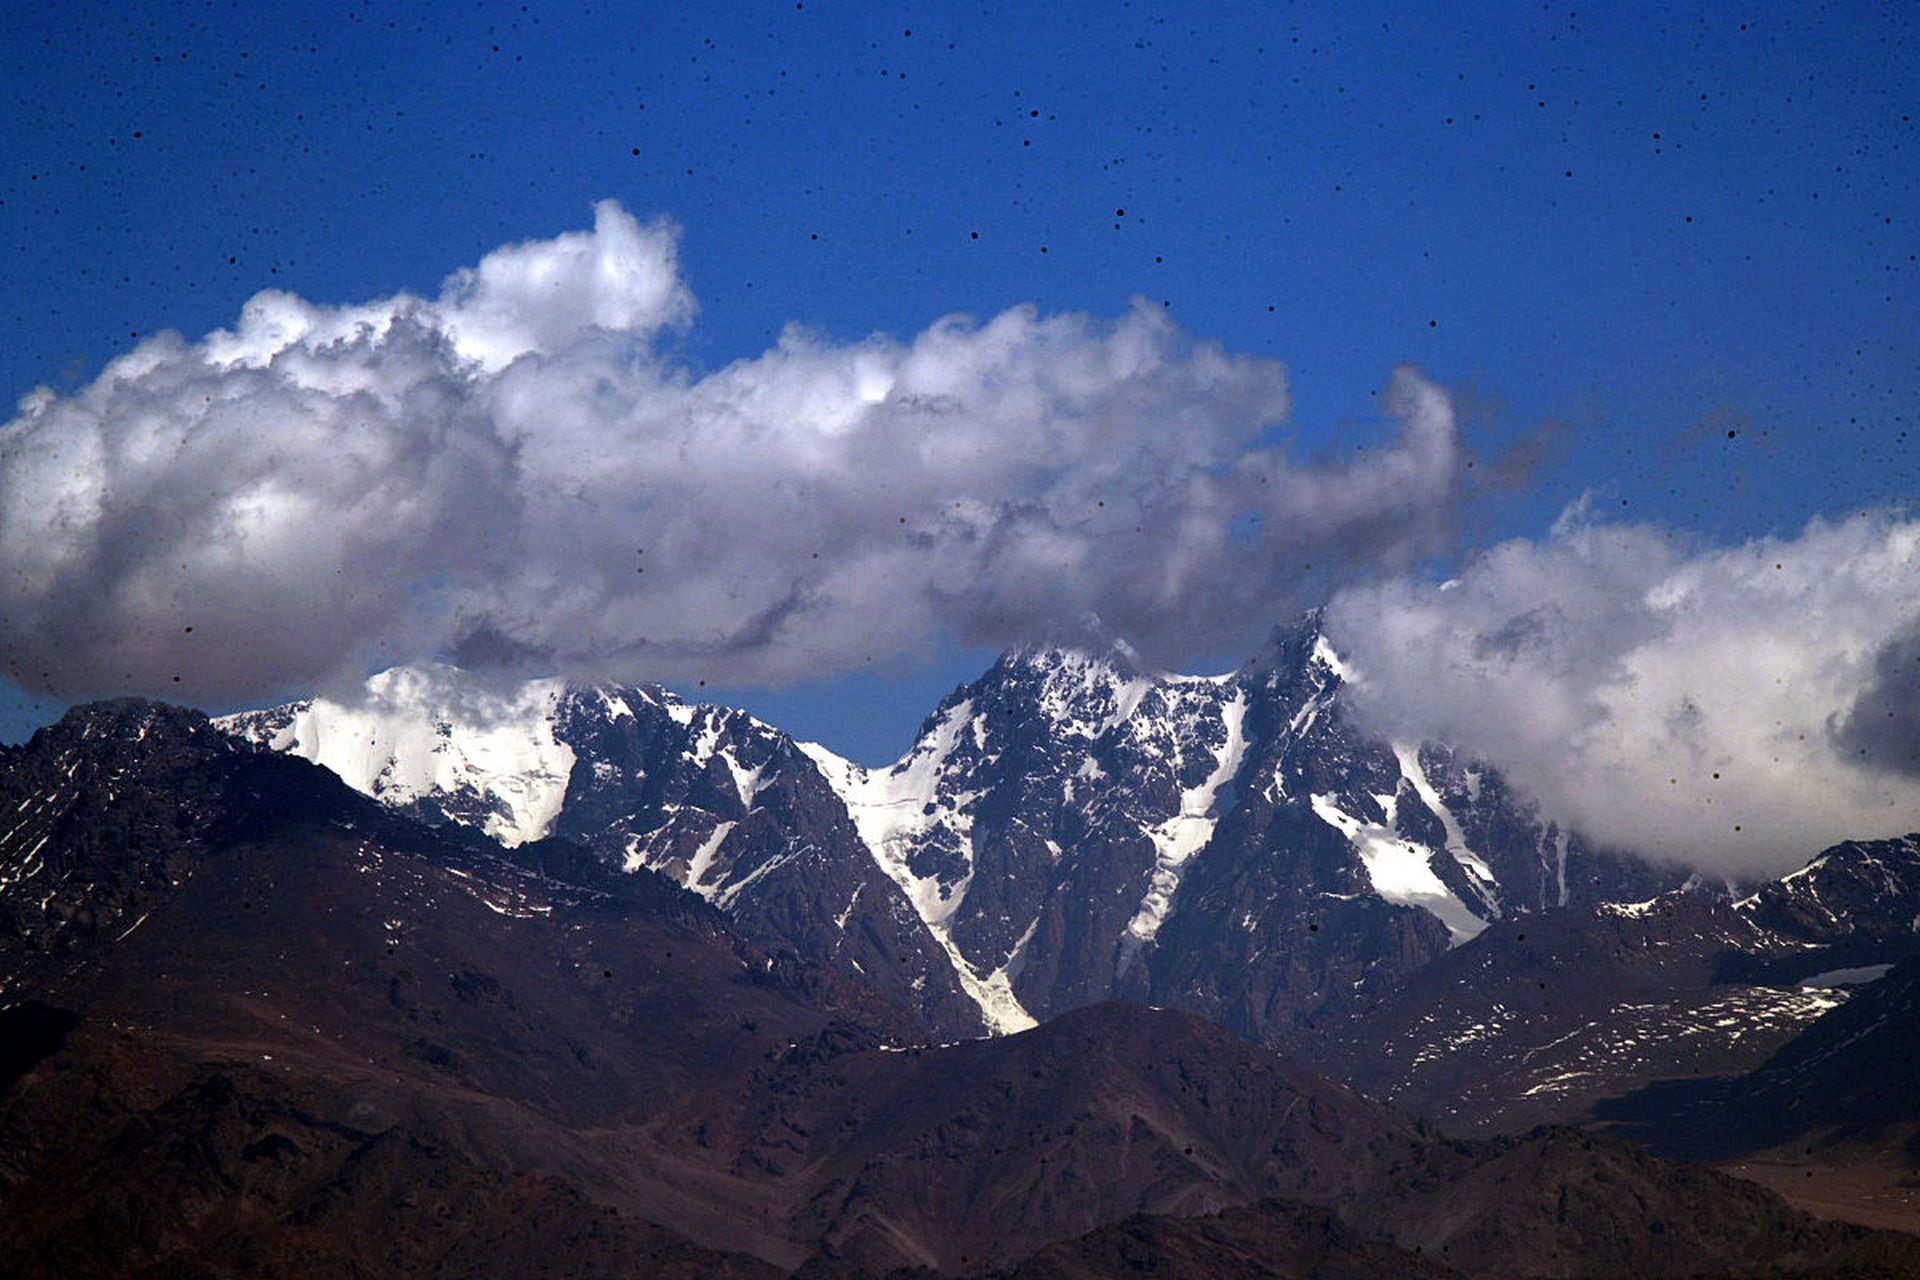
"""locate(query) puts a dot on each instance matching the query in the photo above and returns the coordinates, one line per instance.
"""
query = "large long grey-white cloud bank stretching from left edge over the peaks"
(514, 475)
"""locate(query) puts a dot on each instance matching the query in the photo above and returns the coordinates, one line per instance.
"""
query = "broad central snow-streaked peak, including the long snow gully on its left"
(1047, 815)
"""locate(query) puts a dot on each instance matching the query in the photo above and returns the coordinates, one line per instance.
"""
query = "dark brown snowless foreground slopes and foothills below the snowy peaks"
(260, 1026)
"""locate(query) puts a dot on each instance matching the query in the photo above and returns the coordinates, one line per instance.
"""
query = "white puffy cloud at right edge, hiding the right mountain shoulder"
(1733, 709)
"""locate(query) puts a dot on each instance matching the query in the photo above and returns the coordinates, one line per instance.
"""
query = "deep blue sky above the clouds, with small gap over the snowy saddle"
(1677, 245)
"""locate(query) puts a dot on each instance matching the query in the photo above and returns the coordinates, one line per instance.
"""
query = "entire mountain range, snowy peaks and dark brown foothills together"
(468, 980)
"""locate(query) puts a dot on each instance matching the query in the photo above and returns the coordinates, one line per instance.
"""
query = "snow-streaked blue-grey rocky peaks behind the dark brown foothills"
(1065, 830)
